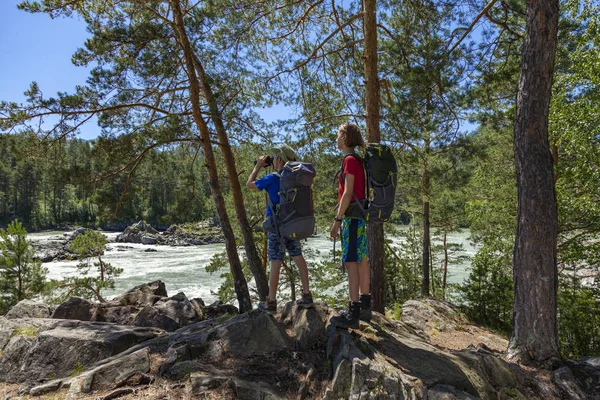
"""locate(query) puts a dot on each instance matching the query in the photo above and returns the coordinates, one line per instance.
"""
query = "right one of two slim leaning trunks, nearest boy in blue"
(254, 261)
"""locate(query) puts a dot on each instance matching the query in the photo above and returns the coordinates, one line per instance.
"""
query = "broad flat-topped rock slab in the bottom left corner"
(43, 348)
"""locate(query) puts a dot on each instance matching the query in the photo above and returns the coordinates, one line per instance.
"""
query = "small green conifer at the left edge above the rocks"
(21, 277)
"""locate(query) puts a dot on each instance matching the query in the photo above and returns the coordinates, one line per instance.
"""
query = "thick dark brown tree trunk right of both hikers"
(534, 339)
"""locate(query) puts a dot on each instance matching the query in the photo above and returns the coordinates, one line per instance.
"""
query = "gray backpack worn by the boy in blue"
(295, 214)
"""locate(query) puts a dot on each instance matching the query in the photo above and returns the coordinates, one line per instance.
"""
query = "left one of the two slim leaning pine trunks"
(240, 284)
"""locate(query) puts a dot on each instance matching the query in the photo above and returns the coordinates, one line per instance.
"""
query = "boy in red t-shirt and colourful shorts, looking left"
(355, 254)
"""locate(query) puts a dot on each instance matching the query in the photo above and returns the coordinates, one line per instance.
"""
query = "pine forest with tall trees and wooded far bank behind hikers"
(486, 137)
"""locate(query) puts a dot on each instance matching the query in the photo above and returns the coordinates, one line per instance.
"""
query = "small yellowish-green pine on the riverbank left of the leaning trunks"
(88, 246)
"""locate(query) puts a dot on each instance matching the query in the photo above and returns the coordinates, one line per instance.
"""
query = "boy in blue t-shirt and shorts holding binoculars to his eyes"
(275, 249)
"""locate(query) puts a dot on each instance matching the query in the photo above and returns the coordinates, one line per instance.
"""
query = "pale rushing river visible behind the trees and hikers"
(182, 268)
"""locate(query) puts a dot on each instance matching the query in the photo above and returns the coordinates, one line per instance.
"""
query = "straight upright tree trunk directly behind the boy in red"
(372, 103)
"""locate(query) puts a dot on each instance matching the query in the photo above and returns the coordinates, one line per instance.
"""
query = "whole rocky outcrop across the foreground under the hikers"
(256, 355)
